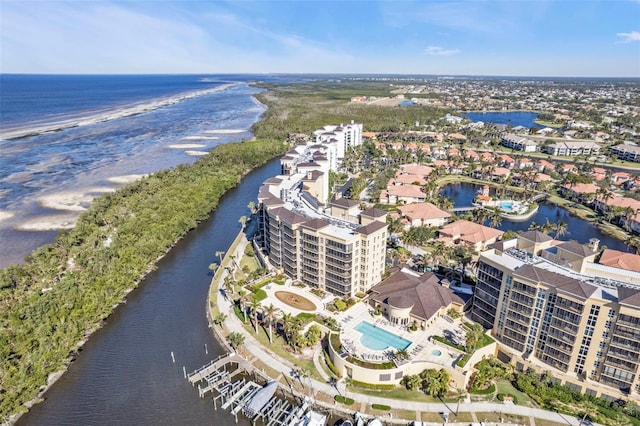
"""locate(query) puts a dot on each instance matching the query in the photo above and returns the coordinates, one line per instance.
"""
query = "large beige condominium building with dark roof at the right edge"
(552, 308)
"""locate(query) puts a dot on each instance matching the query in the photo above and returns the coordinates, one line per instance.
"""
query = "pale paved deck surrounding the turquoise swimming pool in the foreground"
(419, 350)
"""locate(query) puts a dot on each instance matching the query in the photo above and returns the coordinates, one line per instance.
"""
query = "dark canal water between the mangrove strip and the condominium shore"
(124, 374)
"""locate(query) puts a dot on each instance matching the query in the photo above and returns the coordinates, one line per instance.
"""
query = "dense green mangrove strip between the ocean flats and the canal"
(64, 290)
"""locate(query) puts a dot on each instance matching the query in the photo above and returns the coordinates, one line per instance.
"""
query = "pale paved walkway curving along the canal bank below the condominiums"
(284, 367)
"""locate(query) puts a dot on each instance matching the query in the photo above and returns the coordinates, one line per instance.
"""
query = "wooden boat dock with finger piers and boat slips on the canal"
(255, 401)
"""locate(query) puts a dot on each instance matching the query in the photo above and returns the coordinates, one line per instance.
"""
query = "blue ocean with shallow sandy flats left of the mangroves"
(65, 139)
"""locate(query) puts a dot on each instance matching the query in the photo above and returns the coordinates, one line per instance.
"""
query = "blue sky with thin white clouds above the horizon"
(517, 37)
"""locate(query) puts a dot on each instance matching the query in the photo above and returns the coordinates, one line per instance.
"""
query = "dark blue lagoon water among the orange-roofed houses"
(579, 230)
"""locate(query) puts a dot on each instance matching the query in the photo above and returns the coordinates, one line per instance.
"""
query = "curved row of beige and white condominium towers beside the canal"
(326, 243)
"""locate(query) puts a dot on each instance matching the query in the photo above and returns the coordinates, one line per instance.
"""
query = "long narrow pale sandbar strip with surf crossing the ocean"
(106, 115)
